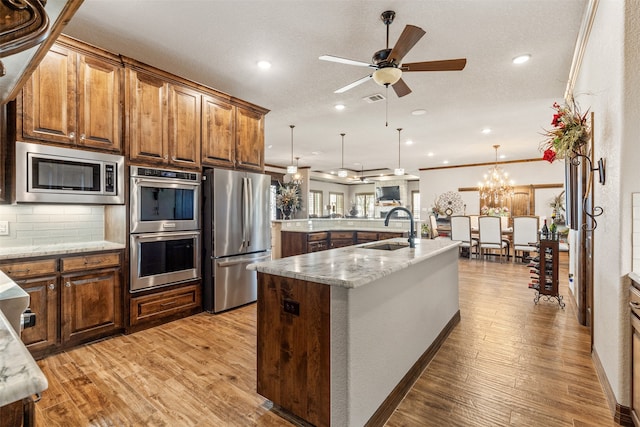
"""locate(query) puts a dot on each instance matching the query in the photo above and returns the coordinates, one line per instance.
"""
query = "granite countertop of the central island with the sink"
(353, 266)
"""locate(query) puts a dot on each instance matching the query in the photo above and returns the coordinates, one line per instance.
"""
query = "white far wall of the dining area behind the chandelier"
(437, 181)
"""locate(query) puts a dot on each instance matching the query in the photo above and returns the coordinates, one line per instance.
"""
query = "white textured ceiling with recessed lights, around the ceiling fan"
(218, 43)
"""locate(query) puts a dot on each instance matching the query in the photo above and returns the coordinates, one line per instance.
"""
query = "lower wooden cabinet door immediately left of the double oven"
(91, 305)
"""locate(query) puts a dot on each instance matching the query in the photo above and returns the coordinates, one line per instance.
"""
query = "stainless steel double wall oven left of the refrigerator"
(165, 227)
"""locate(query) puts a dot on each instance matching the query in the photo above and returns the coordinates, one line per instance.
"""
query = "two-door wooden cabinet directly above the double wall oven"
(164, 121)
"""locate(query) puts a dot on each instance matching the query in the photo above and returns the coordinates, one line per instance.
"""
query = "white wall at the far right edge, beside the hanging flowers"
(609, 85)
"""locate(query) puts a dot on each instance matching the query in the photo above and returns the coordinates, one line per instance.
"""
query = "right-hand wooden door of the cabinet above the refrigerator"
(249, 139)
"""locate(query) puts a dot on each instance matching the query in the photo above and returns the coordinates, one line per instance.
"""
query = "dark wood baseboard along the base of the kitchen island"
(385, 410)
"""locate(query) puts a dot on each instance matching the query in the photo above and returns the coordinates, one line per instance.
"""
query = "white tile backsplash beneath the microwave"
(39, 224)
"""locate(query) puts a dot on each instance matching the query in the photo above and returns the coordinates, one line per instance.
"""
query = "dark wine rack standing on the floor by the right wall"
(544, 270)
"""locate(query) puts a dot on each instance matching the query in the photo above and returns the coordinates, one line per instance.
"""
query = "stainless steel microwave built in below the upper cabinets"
(48, 174)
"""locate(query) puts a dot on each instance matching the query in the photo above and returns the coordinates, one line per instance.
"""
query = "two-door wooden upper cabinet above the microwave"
(73, 98)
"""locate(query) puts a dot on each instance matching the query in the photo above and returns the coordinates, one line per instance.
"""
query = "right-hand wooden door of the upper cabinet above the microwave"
(99, 104)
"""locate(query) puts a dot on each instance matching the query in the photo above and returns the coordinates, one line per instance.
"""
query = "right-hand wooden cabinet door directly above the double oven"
(184, 126)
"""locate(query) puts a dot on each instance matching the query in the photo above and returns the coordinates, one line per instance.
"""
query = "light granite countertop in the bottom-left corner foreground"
(20, 375)
